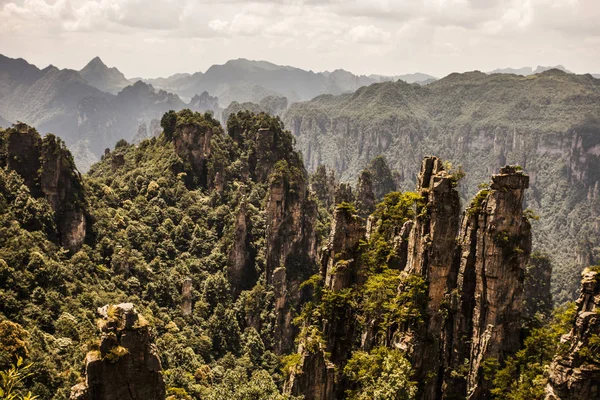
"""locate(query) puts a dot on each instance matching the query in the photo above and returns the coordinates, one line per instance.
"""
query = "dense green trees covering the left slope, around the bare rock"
(152, 225)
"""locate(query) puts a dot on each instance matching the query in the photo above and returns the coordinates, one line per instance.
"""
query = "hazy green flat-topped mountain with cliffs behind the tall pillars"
(547, 123)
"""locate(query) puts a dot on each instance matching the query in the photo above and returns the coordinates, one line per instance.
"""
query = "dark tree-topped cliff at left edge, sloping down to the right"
(48, 170)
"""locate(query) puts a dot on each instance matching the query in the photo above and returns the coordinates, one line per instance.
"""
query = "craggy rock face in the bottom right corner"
(575, 372)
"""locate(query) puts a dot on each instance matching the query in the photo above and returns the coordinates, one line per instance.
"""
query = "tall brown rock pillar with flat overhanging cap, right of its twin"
(495, 244)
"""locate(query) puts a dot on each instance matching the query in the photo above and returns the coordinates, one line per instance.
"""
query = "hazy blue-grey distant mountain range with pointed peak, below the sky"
(96, 106)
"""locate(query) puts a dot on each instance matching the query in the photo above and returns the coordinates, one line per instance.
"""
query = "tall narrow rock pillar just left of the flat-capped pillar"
(431, 254)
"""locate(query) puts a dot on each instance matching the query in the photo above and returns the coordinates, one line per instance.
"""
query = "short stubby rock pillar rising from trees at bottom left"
(126, 366)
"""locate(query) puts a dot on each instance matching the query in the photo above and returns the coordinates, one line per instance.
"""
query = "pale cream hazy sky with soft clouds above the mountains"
(160, 37)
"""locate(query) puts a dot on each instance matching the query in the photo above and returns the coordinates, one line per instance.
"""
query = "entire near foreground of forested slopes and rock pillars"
(206, 263)
